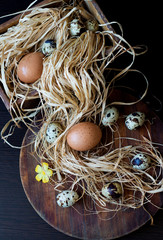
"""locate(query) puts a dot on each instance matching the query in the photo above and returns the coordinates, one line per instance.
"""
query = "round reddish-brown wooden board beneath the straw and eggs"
(105, 225)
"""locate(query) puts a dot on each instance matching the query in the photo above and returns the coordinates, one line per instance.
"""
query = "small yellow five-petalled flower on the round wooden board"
(44, 173)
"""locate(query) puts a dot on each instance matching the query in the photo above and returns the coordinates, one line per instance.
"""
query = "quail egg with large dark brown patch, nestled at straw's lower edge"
(112, 190)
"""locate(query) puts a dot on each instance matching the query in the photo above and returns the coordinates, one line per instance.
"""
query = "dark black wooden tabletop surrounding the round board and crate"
(142, 24)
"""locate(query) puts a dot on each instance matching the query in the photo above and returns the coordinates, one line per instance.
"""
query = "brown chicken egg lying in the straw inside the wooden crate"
(30, 67)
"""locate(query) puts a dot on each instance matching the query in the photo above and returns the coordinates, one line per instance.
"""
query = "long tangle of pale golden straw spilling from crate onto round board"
(72, 89)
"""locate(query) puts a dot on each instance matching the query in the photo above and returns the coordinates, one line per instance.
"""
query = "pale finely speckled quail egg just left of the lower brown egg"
(53, 131)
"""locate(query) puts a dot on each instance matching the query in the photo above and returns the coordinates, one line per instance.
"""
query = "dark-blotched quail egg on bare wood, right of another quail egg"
(135, 120)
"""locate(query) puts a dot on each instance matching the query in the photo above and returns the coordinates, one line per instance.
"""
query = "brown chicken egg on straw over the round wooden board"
(84, 136)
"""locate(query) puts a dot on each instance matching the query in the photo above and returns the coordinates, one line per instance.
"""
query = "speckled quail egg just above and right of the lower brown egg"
(111, 115)
